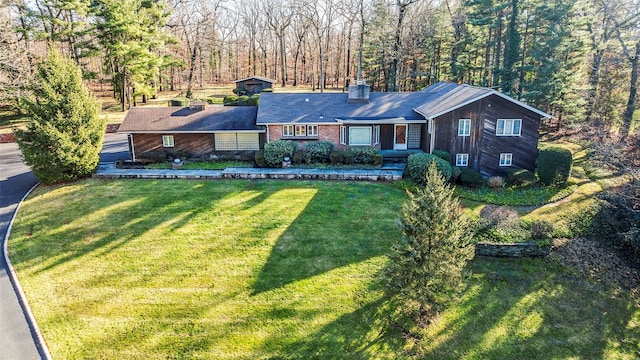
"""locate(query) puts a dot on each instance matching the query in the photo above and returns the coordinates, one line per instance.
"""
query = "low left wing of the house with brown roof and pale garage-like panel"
(197, 130)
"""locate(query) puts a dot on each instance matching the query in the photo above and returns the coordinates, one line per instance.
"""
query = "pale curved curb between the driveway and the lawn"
(33, 325)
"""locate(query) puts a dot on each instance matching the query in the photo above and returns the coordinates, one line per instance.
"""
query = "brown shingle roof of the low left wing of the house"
(185, 120)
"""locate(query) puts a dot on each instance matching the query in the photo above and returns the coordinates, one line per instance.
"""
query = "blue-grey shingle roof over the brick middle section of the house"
(278, 108)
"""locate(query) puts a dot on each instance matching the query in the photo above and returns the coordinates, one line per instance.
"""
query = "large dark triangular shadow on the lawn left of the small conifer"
(341, 225)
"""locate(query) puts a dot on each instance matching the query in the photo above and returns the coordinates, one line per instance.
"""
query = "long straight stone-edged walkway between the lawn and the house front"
(389, 172)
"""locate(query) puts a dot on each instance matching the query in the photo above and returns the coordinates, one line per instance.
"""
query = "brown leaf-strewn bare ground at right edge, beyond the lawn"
(600, 262)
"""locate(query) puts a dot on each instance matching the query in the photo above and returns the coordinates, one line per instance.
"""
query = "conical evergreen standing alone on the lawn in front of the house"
(427, 267)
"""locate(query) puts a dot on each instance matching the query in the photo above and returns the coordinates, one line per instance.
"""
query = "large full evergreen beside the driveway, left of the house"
(64, 139)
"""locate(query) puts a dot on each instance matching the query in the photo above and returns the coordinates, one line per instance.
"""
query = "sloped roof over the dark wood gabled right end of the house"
(444, 97)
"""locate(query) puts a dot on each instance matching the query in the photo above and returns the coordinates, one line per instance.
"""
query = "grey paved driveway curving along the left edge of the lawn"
(16, 338)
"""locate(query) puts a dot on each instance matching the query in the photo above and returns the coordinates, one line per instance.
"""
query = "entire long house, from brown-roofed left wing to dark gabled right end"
(481, 128)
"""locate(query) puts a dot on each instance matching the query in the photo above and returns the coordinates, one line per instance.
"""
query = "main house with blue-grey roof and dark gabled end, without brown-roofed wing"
(481, 128)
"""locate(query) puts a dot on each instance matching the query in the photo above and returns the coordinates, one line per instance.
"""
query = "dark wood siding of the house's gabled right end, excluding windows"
(483, 146)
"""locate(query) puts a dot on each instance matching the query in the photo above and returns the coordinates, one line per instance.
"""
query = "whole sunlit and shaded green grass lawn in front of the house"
(268, 269)
